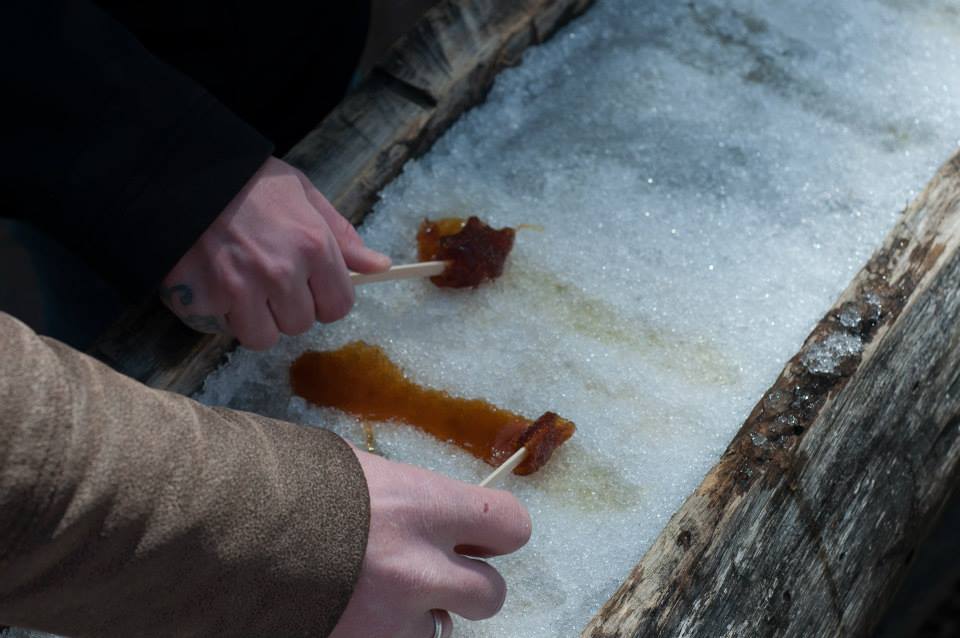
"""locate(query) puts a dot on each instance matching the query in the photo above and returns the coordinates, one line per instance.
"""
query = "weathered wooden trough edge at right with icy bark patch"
(808, 522)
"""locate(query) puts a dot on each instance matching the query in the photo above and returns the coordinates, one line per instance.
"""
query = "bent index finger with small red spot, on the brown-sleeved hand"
(483, 522)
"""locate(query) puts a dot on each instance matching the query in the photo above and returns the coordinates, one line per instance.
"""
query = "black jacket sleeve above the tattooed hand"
(116, 154)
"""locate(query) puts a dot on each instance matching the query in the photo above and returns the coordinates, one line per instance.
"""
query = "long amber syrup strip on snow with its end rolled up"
(360, 379)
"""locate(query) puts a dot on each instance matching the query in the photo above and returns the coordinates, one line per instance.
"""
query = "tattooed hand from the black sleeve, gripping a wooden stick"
(274, 261)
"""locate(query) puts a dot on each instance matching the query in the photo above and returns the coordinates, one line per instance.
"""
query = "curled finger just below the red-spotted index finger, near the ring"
(470, 588)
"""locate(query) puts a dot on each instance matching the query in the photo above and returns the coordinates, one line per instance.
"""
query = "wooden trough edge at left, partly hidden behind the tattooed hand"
(442, 68)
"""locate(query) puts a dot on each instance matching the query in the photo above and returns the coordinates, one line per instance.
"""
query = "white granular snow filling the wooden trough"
(703, 180)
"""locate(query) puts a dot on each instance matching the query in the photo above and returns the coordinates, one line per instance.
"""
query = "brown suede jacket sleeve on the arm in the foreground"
(126, 511)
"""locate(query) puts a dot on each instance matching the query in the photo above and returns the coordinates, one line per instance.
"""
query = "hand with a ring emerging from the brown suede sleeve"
(423, 529)
